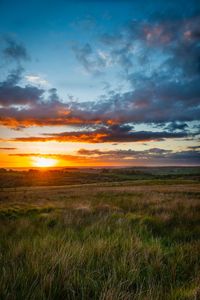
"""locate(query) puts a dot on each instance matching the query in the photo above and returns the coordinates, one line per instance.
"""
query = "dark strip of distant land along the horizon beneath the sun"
(69, 176)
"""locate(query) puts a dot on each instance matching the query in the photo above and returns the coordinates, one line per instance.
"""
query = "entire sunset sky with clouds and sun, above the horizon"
(99, 83)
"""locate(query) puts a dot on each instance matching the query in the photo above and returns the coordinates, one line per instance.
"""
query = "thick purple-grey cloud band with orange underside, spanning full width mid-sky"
(153, 102)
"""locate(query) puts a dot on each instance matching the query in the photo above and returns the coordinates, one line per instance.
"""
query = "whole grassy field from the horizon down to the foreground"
(106, 235)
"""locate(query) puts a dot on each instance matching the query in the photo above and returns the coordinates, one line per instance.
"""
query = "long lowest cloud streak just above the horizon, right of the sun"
(126, 157)
